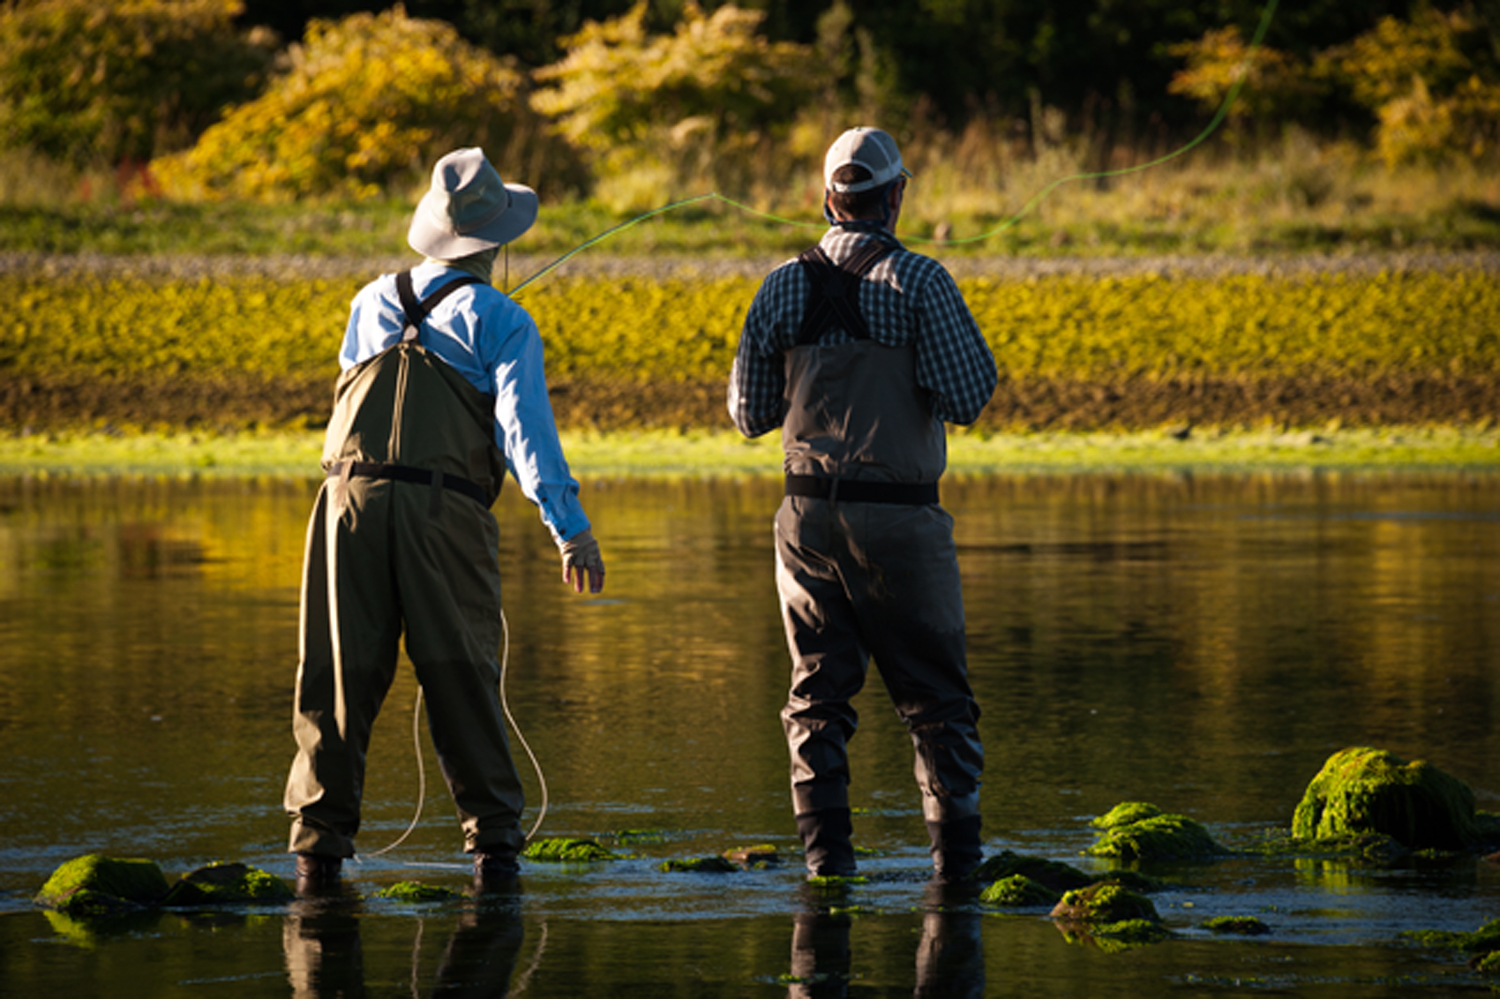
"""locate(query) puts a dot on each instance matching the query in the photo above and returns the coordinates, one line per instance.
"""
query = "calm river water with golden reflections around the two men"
(1199, 643)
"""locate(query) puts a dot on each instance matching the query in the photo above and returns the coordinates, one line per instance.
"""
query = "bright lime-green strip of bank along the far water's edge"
(665, 454)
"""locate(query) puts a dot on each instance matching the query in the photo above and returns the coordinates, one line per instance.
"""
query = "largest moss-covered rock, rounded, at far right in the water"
(1372, 791)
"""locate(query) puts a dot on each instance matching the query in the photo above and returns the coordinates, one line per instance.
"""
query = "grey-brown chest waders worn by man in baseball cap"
(866, 568)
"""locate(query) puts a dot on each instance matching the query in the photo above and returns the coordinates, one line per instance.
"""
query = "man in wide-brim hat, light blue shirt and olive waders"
(439, 368)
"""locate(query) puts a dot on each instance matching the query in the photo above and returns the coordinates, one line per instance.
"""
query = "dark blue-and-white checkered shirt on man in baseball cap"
(908, 301)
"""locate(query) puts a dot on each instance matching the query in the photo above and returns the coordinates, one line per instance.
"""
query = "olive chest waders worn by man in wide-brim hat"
(403, 541)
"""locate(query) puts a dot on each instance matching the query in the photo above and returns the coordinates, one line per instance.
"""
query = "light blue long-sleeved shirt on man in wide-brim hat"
(496, 346)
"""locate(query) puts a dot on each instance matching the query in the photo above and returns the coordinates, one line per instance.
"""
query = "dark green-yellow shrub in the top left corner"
(86, 80)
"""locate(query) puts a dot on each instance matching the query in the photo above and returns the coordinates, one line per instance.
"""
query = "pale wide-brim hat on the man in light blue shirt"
(469, 209)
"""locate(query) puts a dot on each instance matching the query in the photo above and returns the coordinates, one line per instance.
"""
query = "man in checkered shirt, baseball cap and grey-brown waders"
(860, 350)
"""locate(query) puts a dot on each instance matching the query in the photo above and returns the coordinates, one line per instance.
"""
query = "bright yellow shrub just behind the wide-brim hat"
(368, 103)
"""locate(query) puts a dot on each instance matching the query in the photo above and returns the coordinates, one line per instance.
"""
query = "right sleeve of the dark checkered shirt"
(953, 361)
